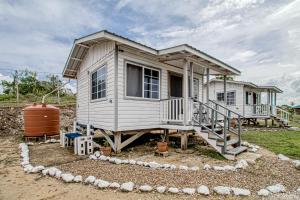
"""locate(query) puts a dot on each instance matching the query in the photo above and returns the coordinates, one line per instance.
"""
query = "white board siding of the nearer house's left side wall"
(97, 113)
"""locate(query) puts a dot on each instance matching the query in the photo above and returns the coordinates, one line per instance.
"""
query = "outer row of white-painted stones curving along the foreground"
(130, 186)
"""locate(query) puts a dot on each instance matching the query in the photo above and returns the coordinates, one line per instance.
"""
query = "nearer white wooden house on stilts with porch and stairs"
(124, 87)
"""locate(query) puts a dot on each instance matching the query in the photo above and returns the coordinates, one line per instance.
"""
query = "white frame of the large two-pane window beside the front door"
(143, 66)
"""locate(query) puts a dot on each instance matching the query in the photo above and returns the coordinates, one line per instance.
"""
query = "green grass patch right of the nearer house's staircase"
(285, 142)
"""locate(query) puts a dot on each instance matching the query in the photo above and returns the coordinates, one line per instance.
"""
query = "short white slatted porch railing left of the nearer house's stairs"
(172, 110)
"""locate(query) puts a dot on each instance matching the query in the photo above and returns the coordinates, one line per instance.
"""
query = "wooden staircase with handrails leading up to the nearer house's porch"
(214, 127)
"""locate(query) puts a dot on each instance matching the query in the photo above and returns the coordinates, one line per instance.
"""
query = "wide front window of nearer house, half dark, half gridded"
(142, 82)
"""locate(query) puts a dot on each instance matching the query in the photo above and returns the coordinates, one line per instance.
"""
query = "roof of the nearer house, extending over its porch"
(81, 45)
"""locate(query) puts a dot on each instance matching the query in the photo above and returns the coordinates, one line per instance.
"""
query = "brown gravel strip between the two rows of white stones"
(267, 171)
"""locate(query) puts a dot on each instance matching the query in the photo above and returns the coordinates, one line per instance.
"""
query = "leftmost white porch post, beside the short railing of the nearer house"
(185, 91)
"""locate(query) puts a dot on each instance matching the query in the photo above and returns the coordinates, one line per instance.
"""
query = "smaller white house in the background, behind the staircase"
(247, 99)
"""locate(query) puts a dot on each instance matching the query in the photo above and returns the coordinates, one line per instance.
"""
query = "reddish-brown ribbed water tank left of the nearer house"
(40, 120)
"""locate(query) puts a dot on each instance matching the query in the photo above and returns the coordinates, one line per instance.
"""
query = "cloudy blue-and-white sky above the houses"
(261, 38)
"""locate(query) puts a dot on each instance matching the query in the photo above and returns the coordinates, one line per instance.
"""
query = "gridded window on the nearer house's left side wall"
(99, 83)
